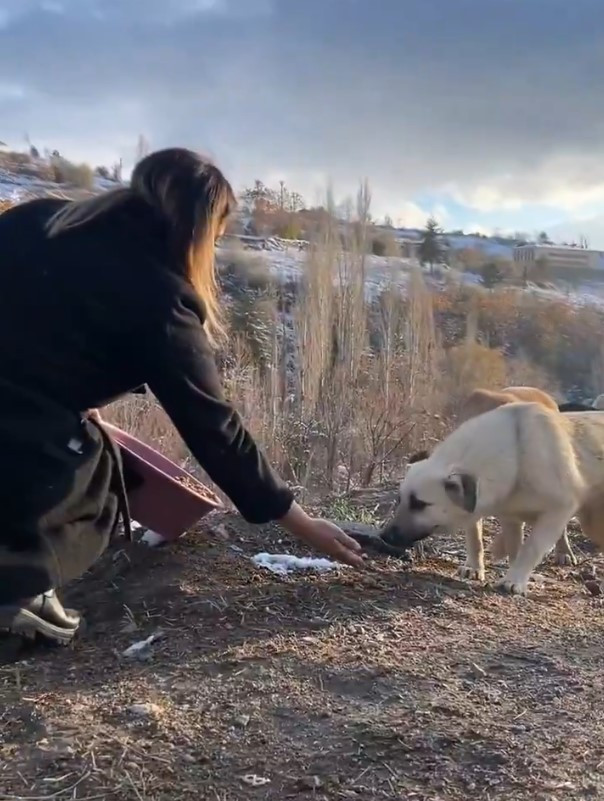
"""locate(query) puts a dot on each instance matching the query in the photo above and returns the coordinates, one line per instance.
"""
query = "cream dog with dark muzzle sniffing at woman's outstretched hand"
(521, 462)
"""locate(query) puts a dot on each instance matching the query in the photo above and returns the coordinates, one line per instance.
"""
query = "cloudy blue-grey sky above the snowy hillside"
(489, 113)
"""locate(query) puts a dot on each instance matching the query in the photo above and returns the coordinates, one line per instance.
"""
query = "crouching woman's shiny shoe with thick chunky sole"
(43, 616)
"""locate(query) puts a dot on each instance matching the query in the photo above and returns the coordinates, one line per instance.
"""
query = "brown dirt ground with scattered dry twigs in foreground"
(395, 683)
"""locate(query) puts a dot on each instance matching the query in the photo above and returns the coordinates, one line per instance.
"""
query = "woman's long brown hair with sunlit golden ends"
(192, 196)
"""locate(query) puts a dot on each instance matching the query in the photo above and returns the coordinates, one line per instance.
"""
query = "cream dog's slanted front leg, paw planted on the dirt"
(546, 532)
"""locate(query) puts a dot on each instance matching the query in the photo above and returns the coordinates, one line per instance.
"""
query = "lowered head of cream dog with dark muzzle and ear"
(431, 499)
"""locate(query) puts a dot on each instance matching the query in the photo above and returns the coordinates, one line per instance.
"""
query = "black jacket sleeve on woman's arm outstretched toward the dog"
(183, 375)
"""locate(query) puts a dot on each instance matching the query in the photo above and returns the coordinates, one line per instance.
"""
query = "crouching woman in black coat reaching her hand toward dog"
(99, 297)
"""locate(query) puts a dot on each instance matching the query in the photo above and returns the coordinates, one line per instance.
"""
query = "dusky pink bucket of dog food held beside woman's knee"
(161, 502)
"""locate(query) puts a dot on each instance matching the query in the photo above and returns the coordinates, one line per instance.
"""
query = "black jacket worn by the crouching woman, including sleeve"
(95, 312)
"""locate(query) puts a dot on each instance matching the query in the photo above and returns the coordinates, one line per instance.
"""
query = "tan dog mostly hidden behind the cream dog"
(508, 541)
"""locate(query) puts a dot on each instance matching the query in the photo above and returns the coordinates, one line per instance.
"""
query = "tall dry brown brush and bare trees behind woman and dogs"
(340, 387)
